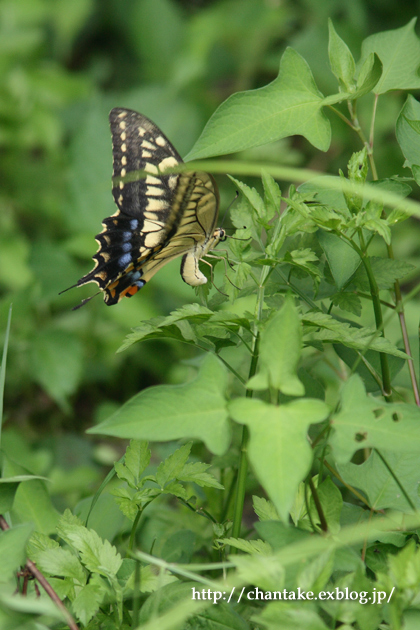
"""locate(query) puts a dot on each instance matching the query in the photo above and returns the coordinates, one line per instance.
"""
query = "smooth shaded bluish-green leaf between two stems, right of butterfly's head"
(342, 259)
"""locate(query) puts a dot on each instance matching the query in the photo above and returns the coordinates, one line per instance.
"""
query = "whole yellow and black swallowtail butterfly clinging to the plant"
(159, 217)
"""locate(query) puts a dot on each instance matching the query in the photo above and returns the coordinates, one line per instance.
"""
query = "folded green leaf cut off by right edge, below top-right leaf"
(408, 134)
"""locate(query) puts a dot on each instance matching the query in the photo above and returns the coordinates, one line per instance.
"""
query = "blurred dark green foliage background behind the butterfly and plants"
(63, 66)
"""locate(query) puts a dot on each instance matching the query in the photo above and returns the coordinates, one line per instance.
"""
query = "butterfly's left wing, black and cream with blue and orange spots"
(146, 216)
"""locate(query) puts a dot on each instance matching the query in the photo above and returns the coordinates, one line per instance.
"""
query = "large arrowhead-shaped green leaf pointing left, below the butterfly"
(169, 412)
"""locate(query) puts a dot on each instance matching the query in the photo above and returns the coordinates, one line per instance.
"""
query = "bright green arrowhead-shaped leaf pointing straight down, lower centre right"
(276, 432)
